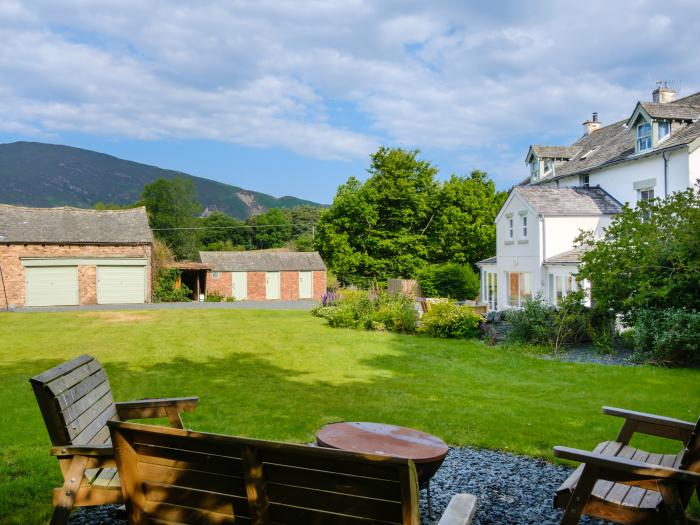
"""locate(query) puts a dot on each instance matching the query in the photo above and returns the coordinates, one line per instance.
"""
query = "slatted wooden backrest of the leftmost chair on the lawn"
(76, 402)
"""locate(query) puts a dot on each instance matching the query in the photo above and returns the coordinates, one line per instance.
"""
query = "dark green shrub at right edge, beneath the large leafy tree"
(667, 336)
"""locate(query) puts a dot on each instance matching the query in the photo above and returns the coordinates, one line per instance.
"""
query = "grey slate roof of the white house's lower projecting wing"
(571, 202)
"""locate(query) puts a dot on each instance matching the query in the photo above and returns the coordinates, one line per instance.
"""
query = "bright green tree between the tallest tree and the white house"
(463, 229)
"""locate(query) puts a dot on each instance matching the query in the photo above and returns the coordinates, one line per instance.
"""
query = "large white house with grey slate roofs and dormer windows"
(580, 187)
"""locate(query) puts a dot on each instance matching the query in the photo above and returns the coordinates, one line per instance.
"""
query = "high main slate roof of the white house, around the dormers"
(614, 143)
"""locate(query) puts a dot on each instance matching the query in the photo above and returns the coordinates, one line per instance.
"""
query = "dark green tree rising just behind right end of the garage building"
(172, 206)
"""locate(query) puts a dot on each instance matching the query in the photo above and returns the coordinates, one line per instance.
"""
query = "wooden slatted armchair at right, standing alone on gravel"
(620, 483)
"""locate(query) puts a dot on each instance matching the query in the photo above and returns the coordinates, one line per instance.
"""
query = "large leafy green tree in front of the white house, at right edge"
(649, 257)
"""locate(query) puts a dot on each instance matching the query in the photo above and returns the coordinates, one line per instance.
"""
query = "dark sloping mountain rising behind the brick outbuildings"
(44, 175)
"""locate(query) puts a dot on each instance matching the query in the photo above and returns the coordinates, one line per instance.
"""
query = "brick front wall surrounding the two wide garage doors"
(13, 271)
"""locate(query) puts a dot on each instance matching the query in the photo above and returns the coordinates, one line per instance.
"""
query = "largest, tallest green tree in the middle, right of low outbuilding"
(376, 230)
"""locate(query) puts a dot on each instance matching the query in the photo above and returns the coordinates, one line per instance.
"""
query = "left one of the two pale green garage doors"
(51, 286)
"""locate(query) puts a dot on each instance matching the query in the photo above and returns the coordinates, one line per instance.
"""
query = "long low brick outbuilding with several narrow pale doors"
(265, 275)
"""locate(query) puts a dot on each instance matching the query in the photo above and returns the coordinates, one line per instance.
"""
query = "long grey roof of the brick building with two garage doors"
(73, 226)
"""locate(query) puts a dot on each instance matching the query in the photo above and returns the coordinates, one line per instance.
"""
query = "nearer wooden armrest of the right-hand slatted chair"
(628, 469)
